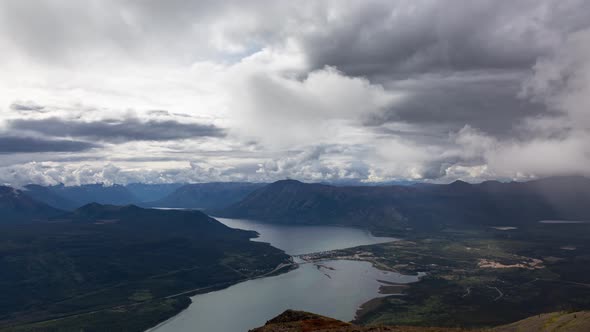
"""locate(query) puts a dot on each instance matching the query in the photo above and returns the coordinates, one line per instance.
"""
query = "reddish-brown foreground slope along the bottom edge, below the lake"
(299, 321)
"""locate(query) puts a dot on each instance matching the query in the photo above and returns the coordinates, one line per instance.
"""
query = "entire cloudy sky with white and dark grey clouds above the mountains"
(105, 91)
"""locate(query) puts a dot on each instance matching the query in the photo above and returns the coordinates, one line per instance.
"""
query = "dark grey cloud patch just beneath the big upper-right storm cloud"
(487, 102)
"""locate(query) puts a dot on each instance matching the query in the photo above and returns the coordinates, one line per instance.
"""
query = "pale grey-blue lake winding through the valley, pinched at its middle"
(334, 288)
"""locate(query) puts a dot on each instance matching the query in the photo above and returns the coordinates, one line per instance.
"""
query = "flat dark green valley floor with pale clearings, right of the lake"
(481, 277)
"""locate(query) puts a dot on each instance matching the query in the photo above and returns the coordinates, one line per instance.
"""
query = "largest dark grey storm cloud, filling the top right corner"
(385, 38)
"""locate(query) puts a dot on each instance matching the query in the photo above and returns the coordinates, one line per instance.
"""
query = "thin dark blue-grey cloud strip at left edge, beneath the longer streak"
(15, 144)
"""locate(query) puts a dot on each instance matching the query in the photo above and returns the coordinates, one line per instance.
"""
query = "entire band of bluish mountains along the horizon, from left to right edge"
(380, 208)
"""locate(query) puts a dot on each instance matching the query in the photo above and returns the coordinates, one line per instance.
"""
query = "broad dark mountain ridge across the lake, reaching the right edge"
(390, 208)
